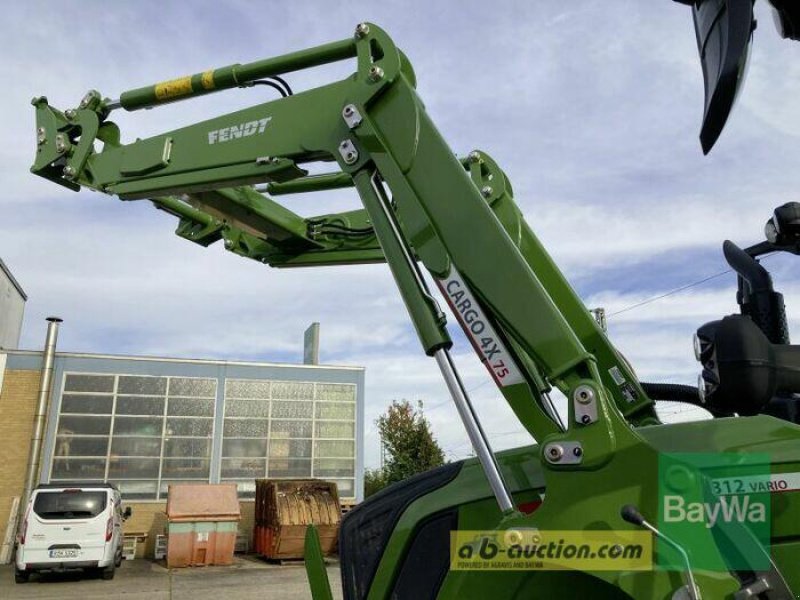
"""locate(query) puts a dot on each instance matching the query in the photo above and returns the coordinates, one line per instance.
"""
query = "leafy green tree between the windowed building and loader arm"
(408, 442)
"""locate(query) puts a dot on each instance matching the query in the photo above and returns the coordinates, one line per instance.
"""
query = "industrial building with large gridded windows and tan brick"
(143, 423)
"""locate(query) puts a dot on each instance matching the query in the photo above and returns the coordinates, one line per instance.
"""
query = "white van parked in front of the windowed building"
(71, 526)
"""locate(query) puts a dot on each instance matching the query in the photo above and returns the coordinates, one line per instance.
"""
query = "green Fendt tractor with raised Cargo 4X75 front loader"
(609, 503)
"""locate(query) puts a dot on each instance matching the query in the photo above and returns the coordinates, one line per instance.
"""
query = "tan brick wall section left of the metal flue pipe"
(18, 397)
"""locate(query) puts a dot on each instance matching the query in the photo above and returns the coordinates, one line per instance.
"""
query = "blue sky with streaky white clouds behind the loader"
(593, 111)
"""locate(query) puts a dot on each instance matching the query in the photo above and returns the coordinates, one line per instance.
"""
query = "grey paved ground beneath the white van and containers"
(249, 577)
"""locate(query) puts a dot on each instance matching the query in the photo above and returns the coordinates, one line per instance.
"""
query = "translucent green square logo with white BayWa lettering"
(706, 500)
